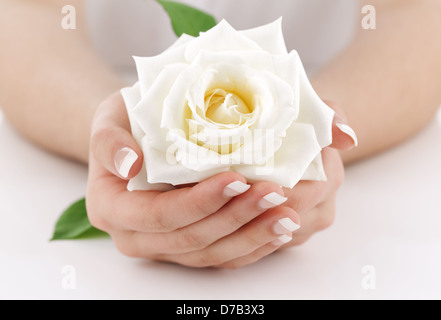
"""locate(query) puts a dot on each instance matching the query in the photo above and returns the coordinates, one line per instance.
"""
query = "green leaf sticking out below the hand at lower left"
(74, 224)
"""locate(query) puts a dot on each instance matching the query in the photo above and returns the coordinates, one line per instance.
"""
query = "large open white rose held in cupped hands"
(227, 101)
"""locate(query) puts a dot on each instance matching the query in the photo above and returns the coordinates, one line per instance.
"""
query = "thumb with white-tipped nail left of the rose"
(112, 144)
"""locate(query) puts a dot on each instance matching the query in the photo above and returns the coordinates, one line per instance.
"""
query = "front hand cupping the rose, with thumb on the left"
(221, 221)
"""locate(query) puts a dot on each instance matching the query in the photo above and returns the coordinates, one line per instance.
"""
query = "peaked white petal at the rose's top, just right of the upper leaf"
(223, 37)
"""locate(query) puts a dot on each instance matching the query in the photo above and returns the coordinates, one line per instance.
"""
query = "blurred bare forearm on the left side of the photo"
(51, 81)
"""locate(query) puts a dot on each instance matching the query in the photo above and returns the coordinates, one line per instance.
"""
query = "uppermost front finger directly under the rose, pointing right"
(153, 211)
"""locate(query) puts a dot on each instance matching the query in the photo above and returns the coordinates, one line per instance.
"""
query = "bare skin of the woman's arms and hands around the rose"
(177, 226)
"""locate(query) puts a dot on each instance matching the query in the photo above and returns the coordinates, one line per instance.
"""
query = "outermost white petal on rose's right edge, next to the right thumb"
(313, 110)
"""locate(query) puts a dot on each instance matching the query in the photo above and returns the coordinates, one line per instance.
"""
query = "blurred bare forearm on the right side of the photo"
(388, 80)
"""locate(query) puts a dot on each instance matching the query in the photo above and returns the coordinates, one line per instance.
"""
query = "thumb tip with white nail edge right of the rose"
(343, 136)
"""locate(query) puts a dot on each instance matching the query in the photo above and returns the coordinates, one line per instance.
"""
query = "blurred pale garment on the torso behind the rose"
(317, 29)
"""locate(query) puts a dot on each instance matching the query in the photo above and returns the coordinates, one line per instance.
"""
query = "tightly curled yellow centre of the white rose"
(225, 108)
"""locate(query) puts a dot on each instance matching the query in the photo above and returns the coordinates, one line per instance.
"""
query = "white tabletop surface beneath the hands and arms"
(389, 217)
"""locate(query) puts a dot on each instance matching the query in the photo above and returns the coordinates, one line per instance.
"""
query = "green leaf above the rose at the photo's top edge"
(186, 19)
